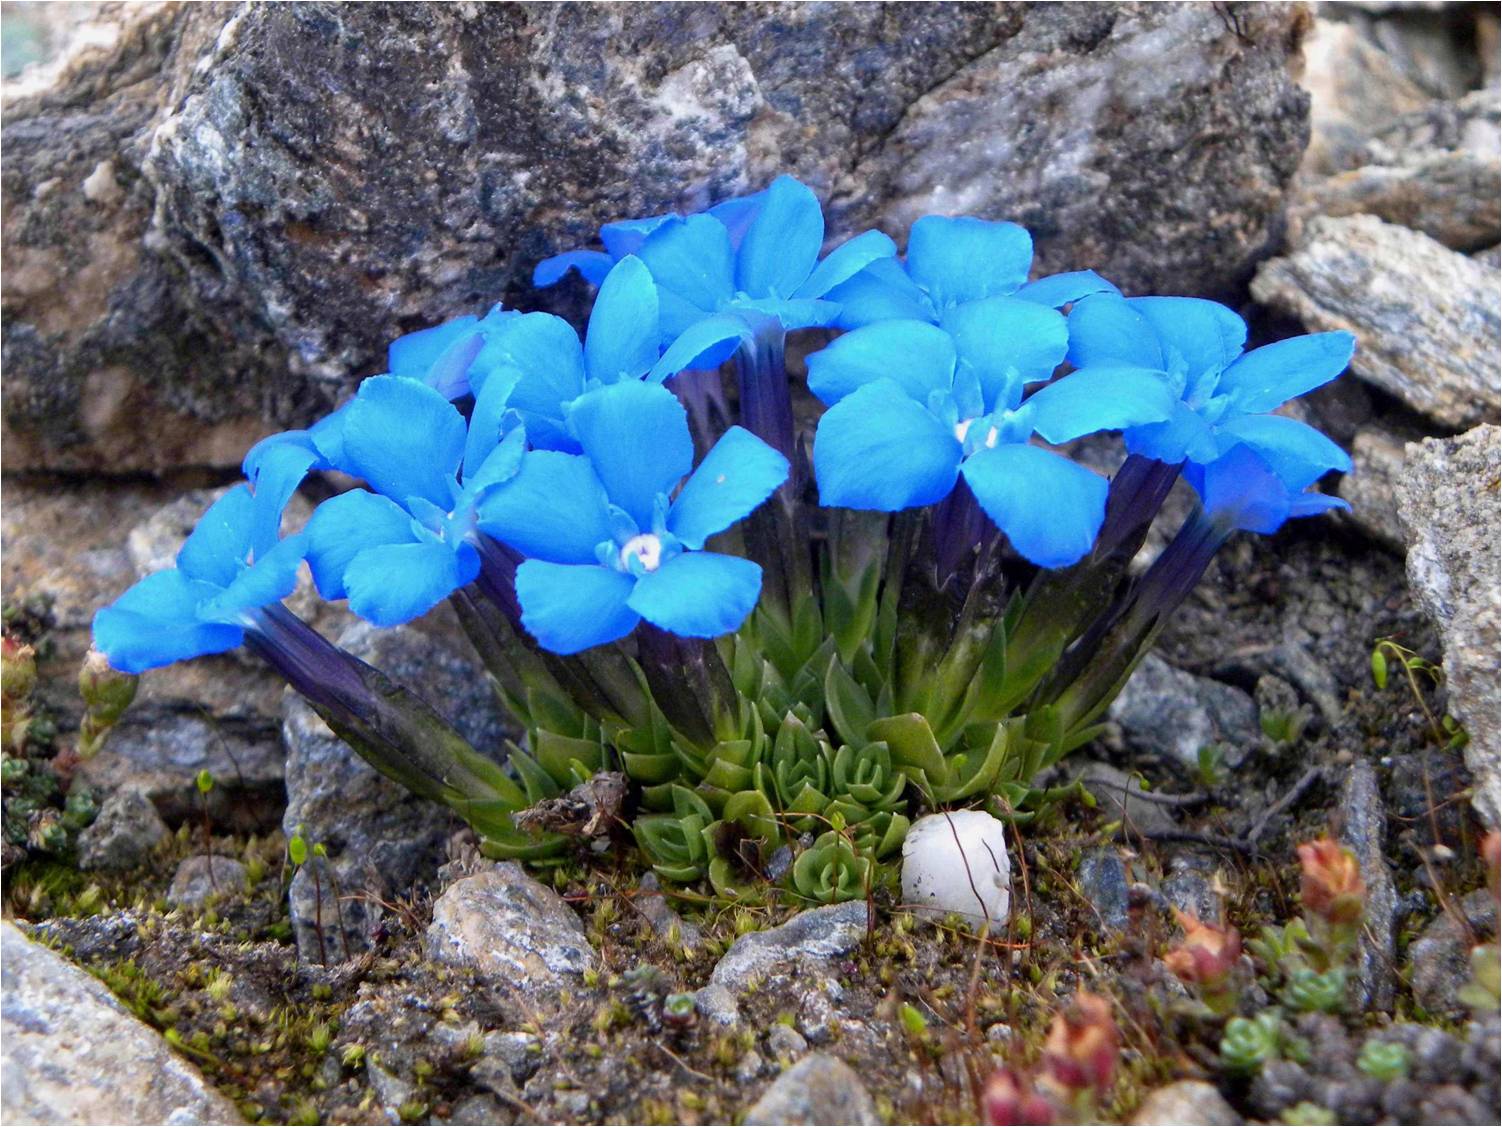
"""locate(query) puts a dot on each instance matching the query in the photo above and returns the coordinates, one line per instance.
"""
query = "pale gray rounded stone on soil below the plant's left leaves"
(511, 931)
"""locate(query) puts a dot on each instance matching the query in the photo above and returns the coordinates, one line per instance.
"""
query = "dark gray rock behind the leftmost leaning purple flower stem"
(381, 838)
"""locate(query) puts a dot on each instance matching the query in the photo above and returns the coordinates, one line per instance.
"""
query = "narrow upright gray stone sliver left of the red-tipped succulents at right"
(1363, 830)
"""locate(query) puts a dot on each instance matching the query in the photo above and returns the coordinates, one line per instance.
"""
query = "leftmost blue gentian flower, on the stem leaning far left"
(228, 572)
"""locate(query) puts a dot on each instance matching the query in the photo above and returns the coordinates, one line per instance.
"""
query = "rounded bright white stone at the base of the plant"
(956, 863)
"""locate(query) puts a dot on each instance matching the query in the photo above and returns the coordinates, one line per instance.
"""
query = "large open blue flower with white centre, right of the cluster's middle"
(914, 406)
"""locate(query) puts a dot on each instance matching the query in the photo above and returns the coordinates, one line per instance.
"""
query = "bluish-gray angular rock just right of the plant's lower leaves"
(1174, 715)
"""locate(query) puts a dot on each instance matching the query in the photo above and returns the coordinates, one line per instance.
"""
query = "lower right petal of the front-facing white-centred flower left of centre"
(699, 594)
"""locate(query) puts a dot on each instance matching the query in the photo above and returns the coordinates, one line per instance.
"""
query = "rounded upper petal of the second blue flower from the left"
(405, 440)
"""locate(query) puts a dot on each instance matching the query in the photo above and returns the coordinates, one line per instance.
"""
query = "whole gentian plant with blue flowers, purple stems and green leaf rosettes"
(788, 629)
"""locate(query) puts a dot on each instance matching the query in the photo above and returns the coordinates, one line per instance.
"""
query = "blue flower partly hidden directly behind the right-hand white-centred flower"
(953, 262)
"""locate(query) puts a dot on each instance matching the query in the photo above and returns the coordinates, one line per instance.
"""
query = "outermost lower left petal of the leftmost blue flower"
(155, 624)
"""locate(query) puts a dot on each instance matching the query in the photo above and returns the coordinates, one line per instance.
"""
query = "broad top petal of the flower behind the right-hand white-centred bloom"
(962, 259)
